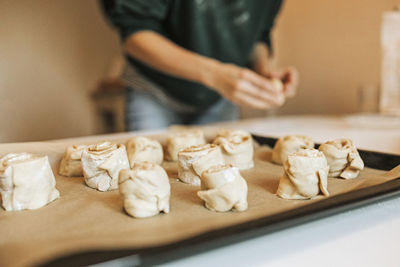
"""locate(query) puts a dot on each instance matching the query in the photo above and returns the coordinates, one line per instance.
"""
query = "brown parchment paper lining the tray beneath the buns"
(86, 219)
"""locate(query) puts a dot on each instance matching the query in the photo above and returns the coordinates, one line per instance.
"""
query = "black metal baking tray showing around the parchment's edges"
(250, 229)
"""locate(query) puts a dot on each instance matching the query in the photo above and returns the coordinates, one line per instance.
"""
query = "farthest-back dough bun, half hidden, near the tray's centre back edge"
(181, 140)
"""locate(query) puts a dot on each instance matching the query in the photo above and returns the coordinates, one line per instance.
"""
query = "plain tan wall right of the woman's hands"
(336, 47)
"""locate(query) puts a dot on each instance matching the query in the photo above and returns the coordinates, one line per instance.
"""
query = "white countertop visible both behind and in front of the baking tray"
(368, 236)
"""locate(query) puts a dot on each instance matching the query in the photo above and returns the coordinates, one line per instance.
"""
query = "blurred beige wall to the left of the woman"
(51, 54)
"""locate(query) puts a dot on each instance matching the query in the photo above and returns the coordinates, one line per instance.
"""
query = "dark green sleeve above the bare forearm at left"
(130, 16)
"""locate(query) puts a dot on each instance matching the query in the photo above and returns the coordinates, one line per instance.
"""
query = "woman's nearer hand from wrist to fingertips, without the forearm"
(243, 86)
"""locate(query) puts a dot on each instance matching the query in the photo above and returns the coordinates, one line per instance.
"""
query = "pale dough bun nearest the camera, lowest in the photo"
(145, 190)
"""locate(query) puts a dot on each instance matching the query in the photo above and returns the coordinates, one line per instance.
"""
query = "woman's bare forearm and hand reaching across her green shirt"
(240, 85)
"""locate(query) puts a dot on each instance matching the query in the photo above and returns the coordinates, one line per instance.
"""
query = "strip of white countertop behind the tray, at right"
(378, 134)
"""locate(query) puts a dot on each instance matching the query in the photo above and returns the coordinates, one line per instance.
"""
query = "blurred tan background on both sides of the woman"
(59, 61)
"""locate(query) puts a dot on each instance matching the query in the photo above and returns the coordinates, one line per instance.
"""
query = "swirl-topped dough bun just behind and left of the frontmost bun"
(101, 165)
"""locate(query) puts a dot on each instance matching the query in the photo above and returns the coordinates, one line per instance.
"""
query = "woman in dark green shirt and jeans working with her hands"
(194, 61)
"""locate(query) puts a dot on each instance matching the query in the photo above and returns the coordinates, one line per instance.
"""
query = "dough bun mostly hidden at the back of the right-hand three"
(289, 144)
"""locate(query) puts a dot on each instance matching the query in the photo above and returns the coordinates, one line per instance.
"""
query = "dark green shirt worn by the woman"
(222, 29)
